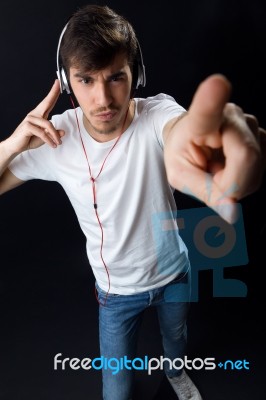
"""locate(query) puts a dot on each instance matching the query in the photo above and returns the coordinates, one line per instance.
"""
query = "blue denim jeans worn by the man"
(119, 322)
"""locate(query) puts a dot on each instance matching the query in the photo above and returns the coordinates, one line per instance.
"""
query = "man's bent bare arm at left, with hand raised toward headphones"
(34, 131)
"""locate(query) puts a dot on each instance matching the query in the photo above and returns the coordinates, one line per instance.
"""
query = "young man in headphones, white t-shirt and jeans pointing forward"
(119, 159)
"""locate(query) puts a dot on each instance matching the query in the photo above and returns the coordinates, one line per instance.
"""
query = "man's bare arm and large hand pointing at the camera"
(215, 151)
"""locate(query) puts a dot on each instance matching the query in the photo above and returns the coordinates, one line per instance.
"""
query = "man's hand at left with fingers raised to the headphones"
(35, 129)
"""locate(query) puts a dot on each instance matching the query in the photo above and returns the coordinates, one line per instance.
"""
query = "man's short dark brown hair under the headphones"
(94, 36)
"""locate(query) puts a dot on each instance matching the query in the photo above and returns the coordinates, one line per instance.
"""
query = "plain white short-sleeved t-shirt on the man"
(133, 196)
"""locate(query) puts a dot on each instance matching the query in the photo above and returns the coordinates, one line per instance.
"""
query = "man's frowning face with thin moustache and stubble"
(104, 97)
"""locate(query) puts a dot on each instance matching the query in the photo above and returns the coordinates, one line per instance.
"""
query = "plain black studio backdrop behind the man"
(47, 302)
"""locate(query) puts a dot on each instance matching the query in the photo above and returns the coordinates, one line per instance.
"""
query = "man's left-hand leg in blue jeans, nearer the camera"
(119, 320)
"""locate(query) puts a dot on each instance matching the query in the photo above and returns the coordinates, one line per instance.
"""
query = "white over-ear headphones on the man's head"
(62, 76)
